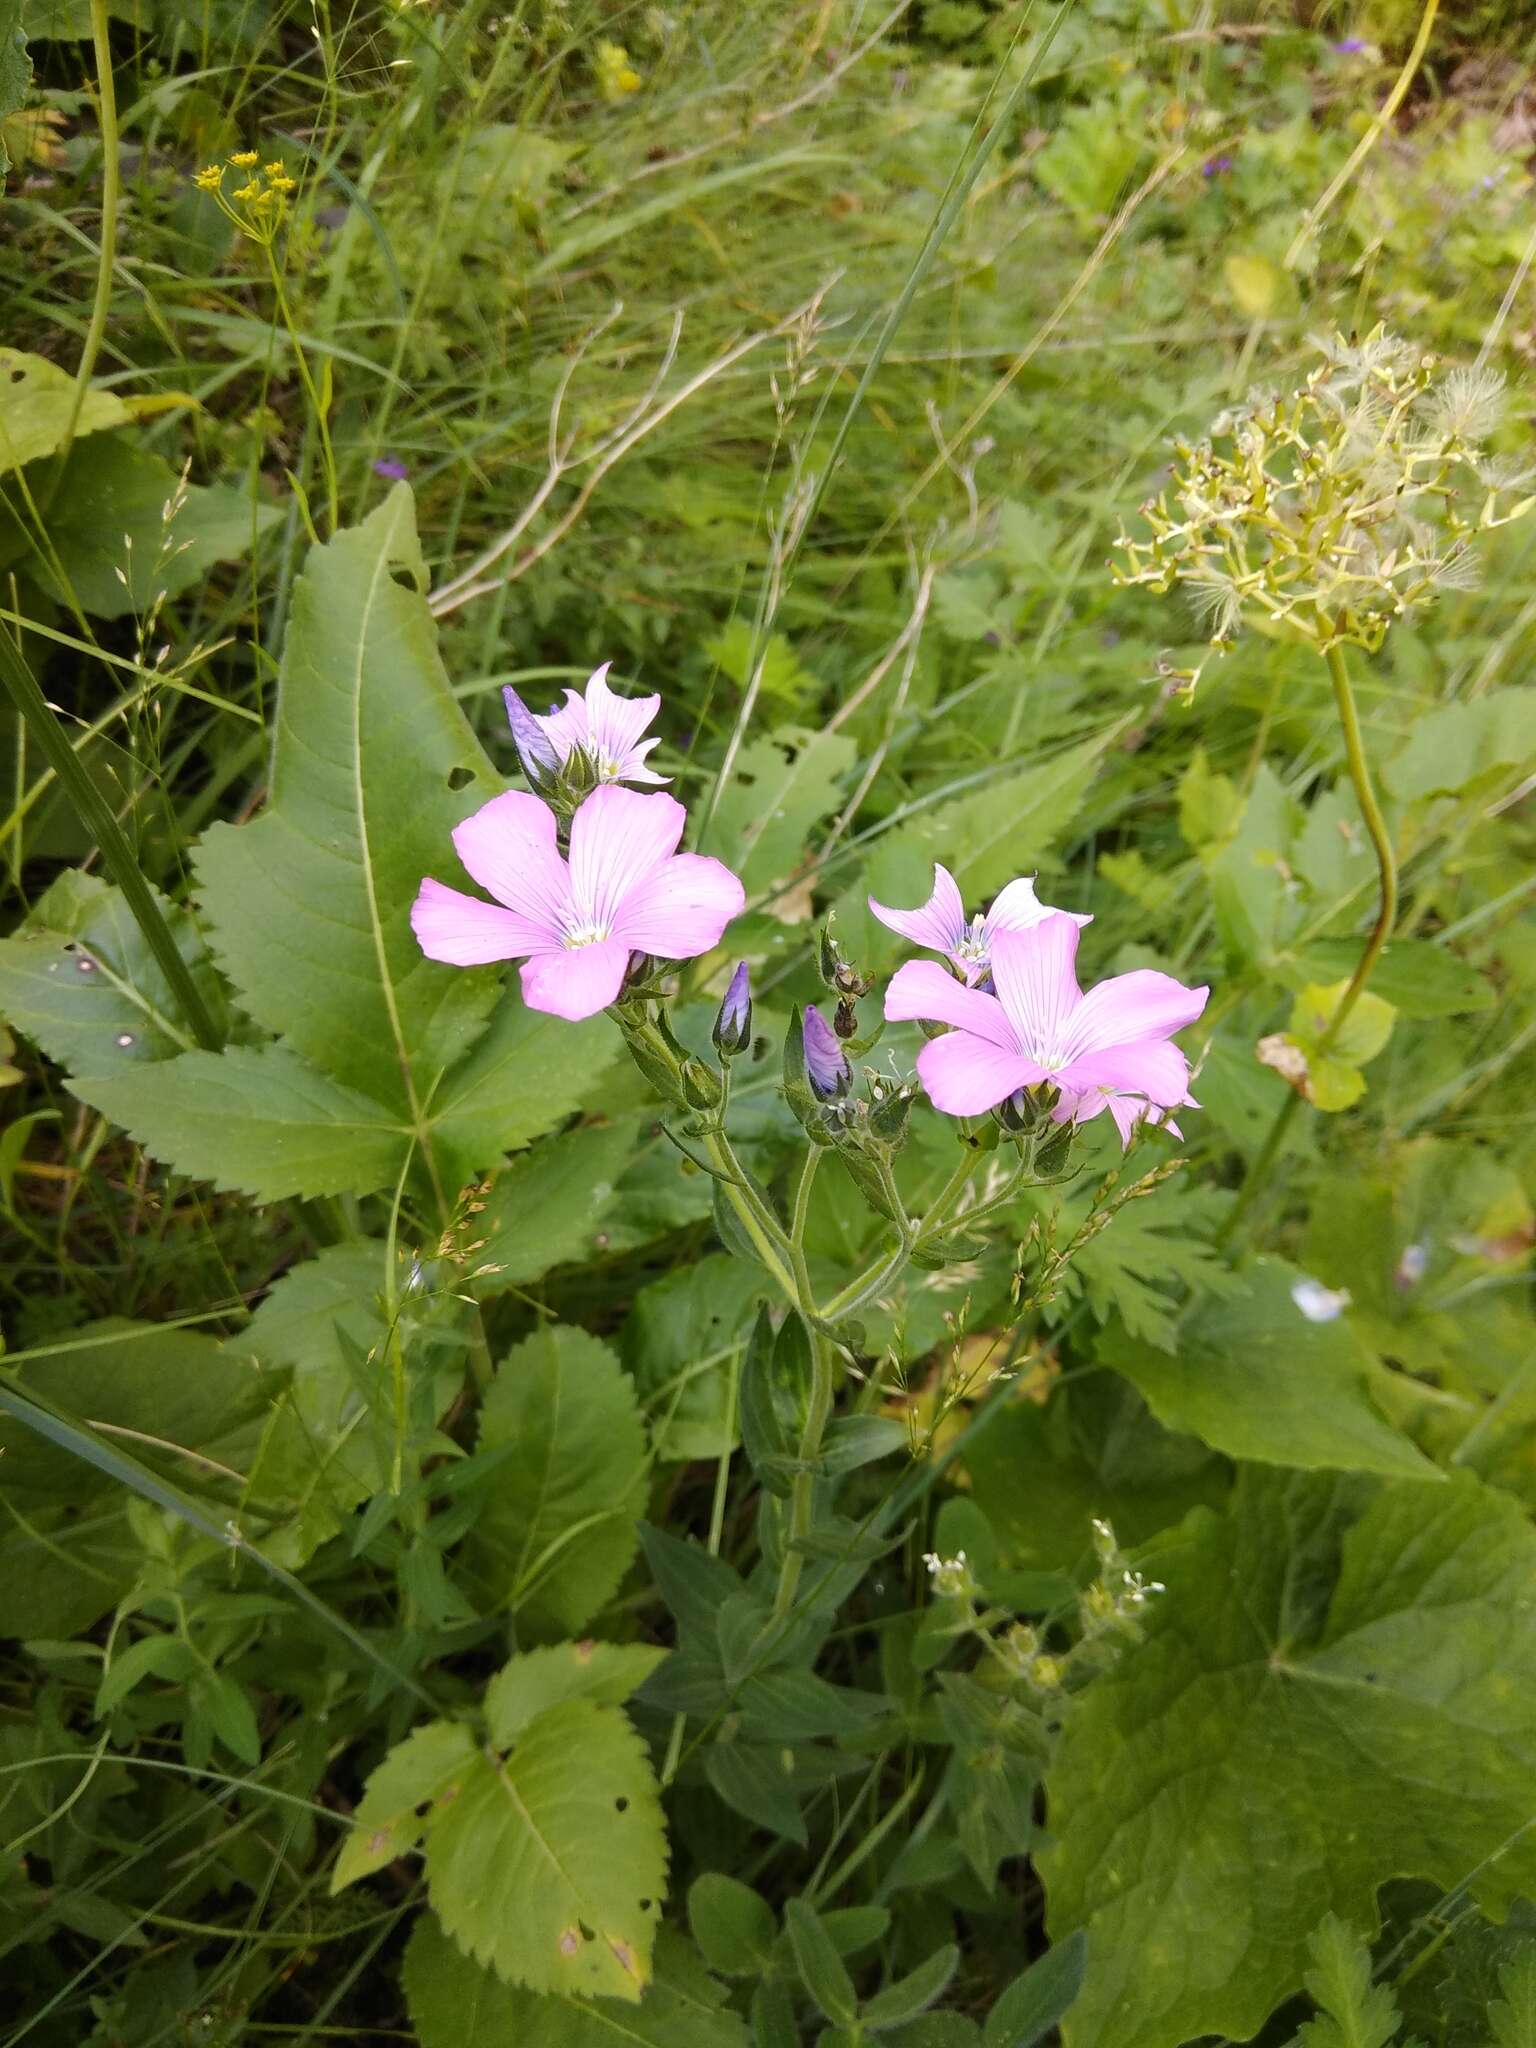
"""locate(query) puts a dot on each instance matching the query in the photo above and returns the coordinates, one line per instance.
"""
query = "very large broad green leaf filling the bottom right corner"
(1338, 1680)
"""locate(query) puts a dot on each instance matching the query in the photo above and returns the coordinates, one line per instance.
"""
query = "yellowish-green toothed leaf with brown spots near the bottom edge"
(550, 1865)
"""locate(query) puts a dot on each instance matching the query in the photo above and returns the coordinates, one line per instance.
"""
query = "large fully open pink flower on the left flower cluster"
(574, 925)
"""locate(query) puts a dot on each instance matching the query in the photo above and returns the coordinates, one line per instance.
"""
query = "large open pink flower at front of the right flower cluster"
(1105, 1052)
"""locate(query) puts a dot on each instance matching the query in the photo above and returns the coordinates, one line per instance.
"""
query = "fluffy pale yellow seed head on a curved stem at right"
(1338, 509)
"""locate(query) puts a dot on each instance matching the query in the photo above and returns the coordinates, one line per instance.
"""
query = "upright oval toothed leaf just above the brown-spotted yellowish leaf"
(570, 1490)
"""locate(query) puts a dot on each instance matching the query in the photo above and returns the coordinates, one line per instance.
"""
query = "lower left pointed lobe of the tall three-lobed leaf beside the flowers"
(253, 1121)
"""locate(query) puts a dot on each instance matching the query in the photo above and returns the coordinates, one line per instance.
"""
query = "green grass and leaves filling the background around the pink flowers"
(390, 1435)
